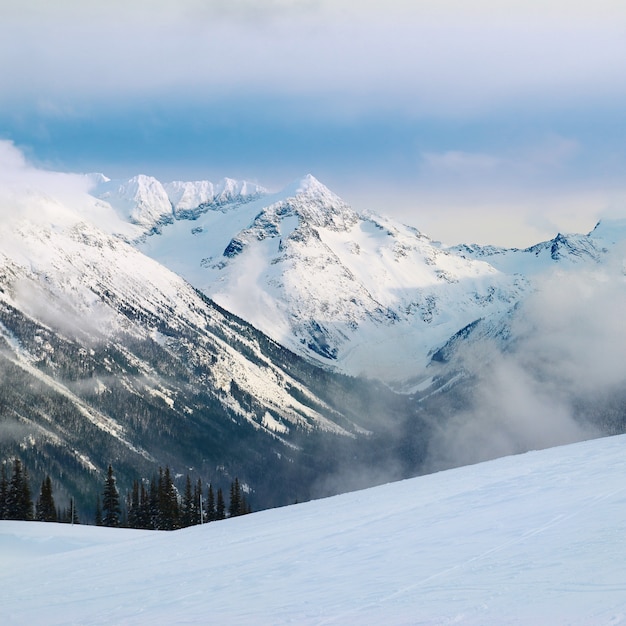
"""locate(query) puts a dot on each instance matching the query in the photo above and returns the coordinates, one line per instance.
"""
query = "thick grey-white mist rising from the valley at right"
(554, 381)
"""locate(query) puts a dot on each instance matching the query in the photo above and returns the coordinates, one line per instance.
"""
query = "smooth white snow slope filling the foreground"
(530, 539)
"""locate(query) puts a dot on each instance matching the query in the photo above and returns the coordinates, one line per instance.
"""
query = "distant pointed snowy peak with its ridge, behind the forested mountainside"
(358, 293)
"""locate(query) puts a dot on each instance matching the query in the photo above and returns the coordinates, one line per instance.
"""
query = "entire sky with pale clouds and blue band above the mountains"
(489, 121)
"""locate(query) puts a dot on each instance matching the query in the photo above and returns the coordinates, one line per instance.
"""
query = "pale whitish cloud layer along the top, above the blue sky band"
(455, 59)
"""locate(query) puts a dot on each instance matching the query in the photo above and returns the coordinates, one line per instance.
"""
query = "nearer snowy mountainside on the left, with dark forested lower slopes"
(106, 355)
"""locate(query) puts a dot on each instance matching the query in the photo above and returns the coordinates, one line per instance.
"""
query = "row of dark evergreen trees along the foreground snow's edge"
(153, 505)
